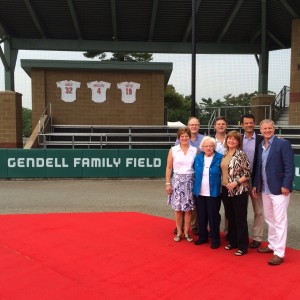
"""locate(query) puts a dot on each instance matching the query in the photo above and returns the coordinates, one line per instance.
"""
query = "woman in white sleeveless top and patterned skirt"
(180, 187)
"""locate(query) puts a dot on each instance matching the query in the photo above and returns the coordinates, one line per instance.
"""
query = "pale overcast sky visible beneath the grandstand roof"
(217, 75)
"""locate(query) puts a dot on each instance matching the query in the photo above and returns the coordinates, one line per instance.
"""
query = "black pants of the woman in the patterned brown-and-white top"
(236, 214)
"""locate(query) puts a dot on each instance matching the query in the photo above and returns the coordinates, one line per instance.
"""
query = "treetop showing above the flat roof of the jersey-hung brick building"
(121, 56)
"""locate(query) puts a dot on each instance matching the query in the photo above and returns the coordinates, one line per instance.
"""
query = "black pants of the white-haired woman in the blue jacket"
(208, 214)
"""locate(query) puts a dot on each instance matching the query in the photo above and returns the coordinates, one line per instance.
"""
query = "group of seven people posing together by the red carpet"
(203, 171)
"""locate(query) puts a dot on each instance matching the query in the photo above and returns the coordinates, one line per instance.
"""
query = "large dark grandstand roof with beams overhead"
(156, 26)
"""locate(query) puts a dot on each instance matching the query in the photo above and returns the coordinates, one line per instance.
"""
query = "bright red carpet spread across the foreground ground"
(129, 256)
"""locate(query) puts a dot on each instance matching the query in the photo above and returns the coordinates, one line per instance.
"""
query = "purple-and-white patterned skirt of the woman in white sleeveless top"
(182, 198)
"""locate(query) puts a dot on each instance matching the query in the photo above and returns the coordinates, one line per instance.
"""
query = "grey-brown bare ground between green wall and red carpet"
(146, 196)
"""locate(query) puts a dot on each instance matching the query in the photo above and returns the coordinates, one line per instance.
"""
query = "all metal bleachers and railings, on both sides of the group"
(50, 135)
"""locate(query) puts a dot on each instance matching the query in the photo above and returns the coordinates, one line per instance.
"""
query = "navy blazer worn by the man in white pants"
(280, 167)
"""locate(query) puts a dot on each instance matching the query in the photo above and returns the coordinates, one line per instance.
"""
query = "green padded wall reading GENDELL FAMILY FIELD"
(81, 163)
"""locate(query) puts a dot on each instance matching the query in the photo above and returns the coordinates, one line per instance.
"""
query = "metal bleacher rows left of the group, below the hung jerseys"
(108, 137)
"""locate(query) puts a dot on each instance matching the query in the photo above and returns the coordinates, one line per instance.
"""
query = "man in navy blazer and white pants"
(274, 177)
